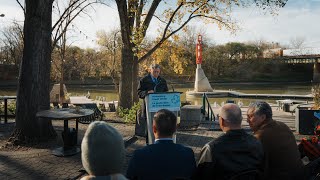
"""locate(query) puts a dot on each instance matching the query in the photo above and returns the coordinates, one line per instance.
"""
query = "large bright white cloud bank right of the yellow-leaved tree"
(296, 20)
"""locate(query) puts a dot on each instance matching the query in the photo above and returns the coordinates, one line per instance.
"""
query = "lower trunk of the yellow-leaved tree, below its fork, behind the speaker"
(125, 94)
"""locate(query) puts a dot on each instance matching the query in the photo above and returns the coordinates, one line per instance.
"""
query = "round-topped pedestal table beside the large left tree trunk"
(65, 114)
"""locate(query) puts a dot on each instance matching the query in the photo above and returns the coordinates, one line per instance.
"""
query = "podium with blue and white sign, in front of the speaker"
(155, 102)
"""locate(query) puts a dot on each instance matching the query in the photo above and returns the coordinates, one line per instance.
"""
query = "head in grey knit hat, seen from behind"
(102, 150)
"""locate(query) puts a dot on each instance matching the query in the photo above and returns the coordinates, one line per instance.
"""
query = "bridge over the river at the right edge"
(298, 56)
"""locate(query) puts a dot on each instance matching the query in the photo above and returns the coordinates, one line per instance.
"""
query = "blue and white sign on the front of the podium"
(170, 101)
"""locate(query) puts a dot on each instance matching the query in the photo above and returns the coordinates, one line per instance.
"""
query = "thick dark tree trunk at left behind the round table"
(34, 77)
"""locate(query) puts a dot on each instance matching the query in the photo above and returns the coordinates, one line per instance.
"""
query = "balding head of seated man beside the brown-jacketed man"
(230, 117)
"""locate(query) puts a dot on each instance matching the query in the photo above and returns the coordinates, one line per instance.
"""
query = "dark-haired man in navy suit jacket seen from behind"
(163, 159)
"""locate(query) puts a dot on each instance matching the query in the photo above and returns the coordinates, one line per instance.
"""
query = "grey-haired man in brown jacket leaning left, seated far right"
(282, 155)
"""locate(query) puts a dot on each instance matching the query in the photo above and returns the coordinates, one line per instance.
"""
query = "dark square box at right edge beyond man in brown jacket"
(305, 121)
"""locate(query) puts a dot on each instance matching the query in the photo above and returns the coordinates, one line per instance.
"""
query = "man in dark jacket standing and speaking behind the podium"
(149, 84)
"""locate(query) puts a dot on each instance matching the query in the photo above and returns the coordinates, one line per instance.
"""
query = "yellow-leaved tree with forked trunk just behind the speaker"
(136, 15)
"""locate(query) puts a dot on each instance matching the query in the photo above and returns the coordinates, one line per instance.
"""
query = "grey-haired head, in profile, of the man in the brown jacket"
(258, 113)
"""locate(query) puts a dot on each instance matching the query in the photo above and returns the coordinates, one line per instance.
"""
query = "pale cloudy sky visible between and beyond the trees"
(298, 19)
